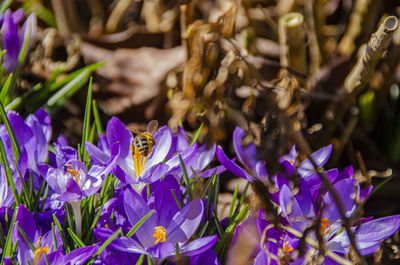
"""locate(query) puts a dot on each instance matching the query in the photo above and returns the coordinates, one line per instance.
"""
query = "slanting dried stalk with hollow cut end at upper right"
(369, 56)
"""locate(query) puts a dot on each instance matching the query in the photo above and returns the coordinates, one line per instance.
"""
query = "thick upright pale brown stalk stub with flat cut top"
(292, 42)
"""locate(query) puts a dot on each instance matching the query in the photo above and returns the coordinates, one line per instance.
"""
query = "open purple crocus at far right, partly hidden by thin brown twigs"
(300, 211)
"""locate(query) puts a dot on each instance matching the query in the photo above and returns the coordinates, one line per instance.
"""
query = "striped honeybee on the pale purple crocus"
(144, 141)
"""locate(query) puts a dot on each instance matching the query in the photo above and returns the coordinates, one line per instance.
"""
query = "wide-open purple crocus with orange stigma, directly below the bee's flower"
(166, 229)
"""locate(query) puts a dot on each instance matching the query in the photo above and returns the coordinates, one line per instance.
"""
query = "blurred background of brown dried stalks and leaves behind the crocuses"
(275, 68)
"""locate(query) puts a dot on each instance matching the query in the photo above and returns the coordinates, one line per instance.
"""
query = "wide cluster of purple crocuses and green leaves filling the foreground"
(123, 206)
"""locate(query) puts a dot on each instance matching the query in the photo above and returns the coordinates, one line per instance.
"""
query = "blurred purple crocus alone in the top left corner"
(12, 40)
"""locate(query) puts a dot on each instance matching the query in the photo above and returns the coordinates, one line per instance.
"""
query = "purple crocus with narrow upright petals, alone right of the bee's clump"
(247, 155)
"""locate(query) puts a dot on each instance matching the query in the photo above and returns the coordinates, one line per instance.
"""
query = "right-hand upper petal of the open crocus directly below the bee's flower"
(185, 222)
